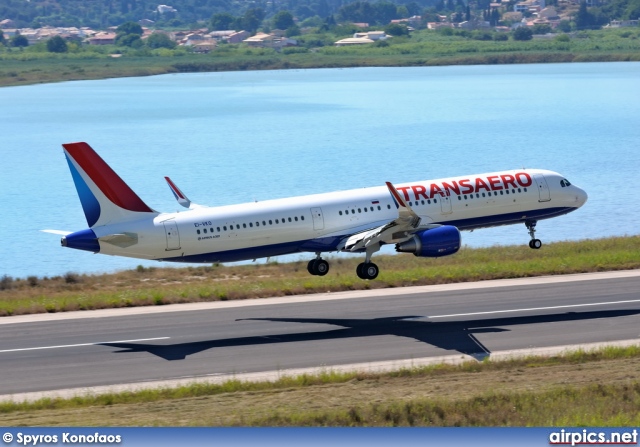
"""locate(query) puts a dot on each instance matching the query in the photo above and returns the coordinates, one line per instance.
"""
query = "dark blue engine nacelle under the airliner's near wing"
(440, 241)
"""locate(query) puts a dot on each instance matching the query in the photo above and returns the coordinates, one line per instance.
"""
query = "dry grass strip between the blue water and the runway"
(151, 286)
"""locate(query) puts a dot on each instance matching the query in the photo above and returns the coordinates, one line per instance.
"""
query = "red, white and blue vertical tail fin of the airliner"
(105, 197)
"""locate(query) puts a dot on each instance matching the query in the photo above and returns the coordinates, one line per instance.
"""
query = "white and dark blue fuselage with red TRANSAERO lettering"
(321, 222)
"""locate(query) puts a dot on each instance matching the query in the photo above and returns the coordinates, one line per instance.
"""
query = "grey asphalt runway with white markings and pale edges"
(78, 351)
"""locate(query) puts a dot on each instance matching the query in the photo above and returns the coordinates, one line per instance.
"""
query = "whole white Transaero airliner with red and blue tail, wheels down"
(424, 217)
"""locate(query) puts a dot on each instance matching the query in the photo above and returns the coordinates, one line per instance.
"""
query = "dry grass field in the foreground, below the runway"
(597, 388)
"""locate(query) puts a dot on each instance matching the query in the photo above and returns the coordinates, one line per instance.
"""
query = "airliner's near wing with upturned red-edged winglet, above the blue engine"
(399, 229)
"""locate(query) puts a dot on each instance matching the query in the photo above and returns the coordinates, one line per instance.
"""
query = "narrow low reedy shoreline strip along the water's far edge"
(34, 71)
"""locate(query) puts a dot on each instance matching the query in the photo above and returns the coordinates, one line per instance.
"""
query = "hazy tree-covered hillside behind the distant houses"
(105, 13)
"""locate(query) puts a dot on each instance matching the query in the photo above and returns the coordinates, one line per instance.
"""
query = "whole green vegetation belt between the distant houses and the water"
(35, 64)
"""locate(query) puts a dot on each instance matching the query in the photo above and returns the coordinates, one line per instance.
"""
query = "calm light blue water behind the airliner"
(234, 137)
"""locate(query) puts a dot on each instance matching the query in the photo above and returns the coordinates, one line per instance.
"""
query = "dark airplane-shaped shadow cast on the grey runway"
(451, 335)
